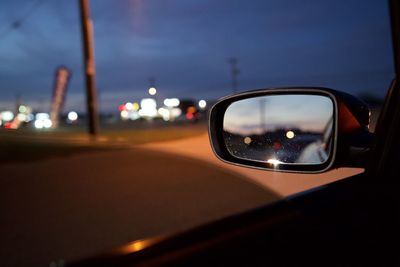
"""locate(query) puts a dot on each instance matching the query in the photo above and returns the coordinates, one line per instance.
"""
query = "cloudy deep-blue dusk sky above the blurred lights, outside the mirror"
(185, 46)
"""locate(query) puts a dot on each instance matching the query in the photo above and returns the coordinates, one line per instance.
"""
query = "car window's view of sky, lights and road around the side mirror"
(160, 66)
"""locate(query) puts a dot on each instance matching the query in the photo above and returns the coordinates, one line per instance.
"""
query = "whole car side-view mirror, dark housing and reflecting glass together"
(291, 129)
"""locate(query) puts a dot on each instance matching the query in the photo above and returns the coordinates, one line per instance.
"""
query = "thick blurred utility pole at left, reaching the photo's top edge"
(89, 67)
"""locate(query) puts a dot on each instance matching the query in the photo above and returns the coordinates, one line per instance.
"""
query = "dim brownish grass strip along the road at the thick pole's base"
(30, 145)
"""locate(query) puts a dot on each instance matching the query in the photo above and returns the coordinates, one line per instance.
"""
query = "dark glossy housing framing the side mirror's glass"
(349, 146)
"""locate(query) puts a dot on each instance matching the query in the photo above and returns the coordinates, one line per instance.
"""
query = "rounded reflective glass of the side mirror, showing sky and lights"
(290, 129)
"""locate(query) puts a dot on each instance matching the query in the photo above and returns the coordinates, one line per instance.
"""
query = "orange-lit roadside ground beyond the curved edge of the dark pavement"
(186, 140)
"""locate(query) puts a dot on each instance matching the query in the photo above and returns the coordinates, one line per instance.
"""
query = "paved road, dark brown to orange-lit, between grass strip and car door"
(79, 204)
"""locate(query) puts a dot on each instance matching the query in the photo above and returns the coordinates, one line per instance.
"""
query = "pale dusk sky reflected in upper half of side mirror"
(268, 113)
